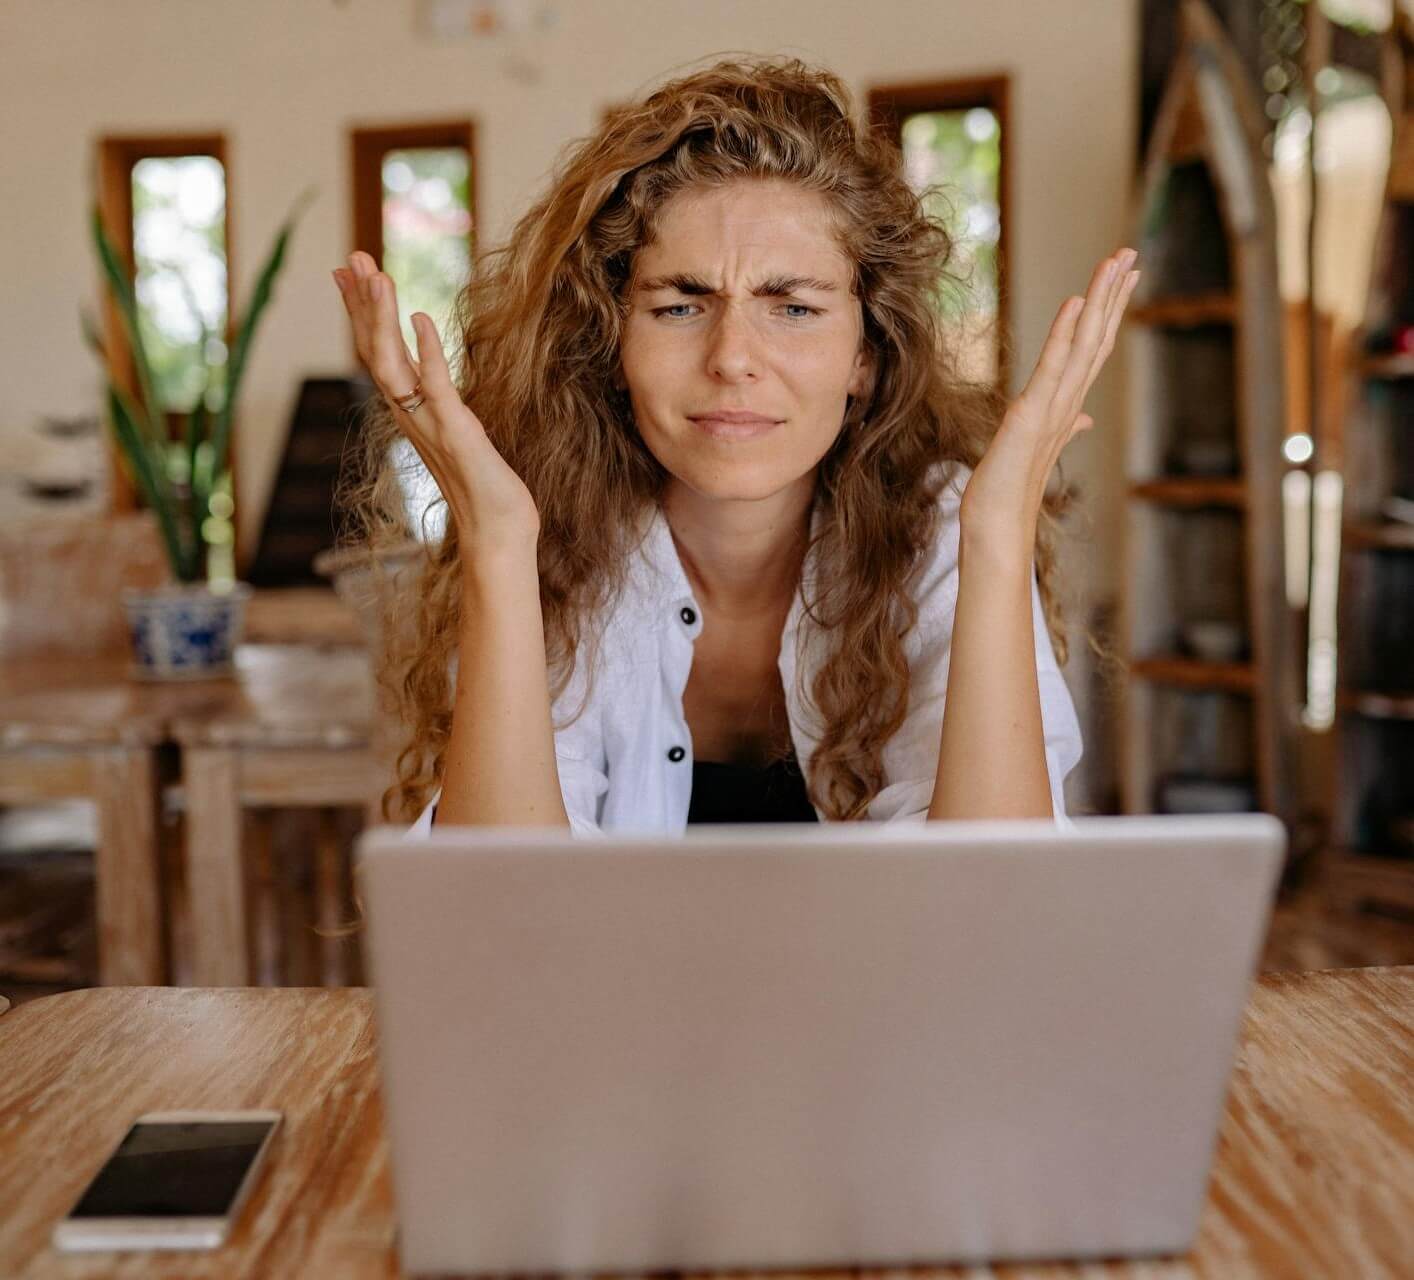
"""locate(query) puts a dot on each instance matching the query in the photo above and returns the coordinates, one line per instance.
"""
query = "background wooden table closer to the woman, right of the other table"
(298, 731)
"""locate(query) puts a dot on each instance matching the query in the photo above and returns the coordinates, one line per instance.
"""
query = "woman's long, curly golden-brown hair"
(539, 353)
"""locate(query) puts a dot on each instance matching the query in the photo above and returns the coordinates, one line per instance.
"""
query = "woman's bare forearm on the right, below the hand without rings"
(992, 762)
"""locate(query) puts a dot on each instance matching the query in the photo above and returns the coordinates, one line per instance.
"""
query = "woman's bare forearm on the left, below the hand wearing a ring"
(500, 766)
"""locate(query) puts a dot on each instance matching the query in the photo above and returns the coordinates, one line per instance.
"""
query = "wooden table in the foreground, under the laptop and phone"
(1314, 1175)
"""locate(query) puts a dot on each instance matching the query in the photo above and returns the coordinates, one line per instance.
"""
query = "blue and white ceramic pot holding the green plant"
(187, 632)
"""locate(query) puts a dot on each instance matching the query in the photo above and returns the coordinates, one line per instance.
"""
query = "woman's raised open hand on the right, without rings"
(1007, 487)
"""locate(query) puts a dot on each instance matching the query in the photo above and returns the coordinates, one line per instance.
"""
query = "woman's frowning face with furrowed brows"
(743, 340)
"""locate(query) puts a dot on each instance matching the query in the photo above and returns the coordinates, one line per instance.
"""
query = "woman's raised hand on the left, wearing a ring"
(491, 506)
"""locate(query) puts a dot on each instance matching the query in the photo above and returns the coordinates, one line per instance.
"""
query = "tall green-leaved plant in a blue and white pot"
(190, 629)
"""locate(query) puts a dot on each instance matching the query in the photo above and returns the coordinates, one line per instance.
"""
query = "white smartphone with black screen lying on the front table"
(177, 1180)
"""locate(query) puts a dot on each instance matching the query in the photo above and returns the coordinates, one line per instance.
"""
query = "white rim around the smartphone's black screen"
(84, 1235)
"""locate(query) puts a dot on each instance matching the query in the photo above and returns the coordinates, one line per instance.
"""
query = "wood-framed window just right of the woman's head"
(954, 142)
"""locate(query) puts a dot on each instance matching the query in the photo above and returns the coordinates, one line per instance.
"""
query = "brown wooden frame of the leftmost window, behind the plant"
(117, 158)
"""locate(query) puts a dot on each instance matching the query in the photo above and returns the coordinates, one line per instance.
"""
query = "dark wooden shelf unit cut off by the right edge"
(1372, 848)
